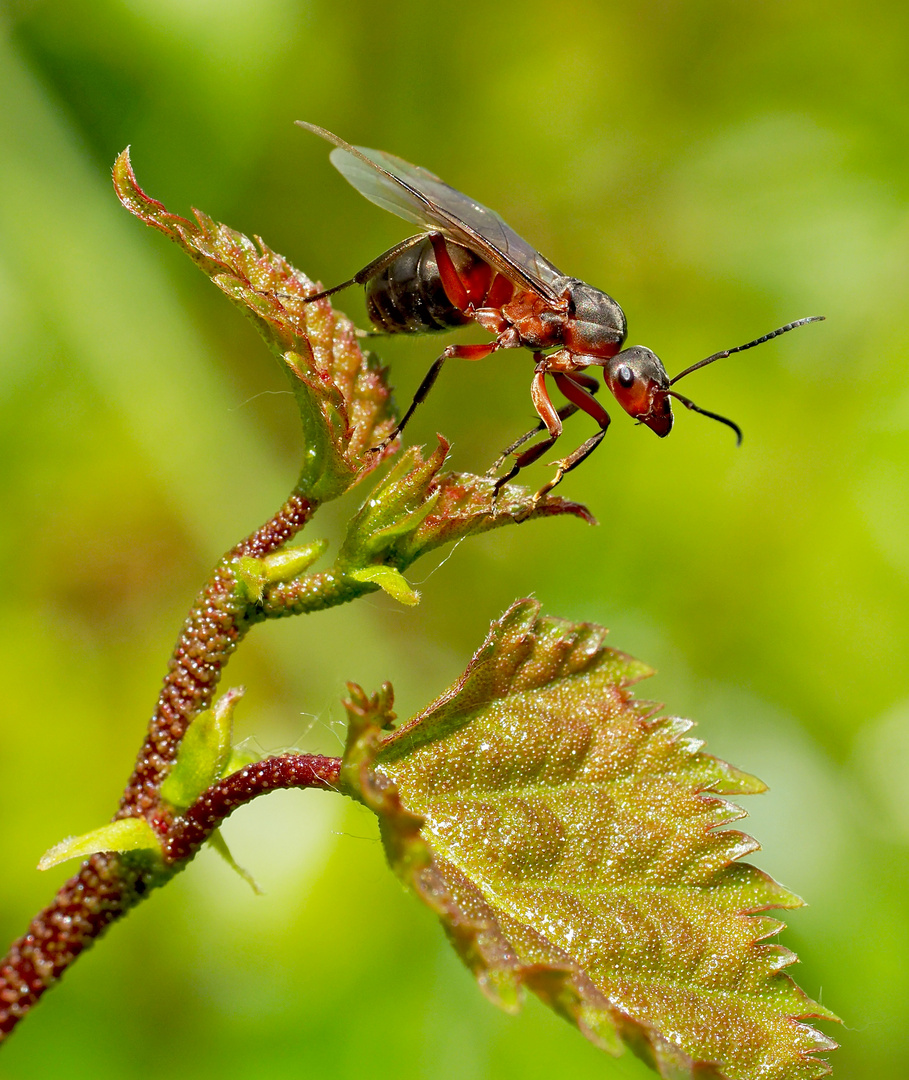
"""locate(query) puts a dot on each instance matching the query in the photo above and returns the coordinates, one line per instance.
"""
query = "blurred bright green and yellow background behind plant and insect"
(721, 169)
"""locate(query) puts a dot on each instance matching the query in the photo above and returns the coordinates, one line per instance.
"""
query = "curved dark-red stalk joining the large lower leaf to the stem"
(189, 832)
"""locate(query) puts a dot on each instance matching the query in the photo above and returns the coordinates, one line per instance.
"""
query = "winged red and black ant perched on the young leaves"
(468, 266)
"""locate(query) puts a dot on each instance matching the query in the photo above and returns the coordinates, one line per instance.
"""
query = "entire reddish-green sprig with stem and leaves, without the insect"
(573, 842)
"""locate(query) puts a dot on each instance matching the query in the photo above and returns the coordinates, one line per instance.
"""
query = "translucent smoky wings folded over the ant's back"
(420, 197)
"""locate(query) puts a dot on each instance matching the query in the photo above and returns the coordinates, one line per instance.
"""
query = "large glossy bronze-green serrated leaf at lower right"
(573, 843)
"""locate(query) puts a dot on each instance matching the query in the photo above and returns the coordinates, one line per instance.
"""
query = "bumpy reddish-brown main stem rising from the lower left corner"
(108, 885)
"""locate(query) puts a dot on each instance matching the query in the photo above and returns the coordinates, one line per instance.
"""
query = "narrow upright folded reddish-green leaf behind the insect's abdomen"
(343, 395)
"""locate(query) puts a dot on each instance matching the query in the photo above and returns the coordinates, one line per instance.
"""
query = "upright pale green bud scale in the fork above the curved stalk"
(203, 754)
